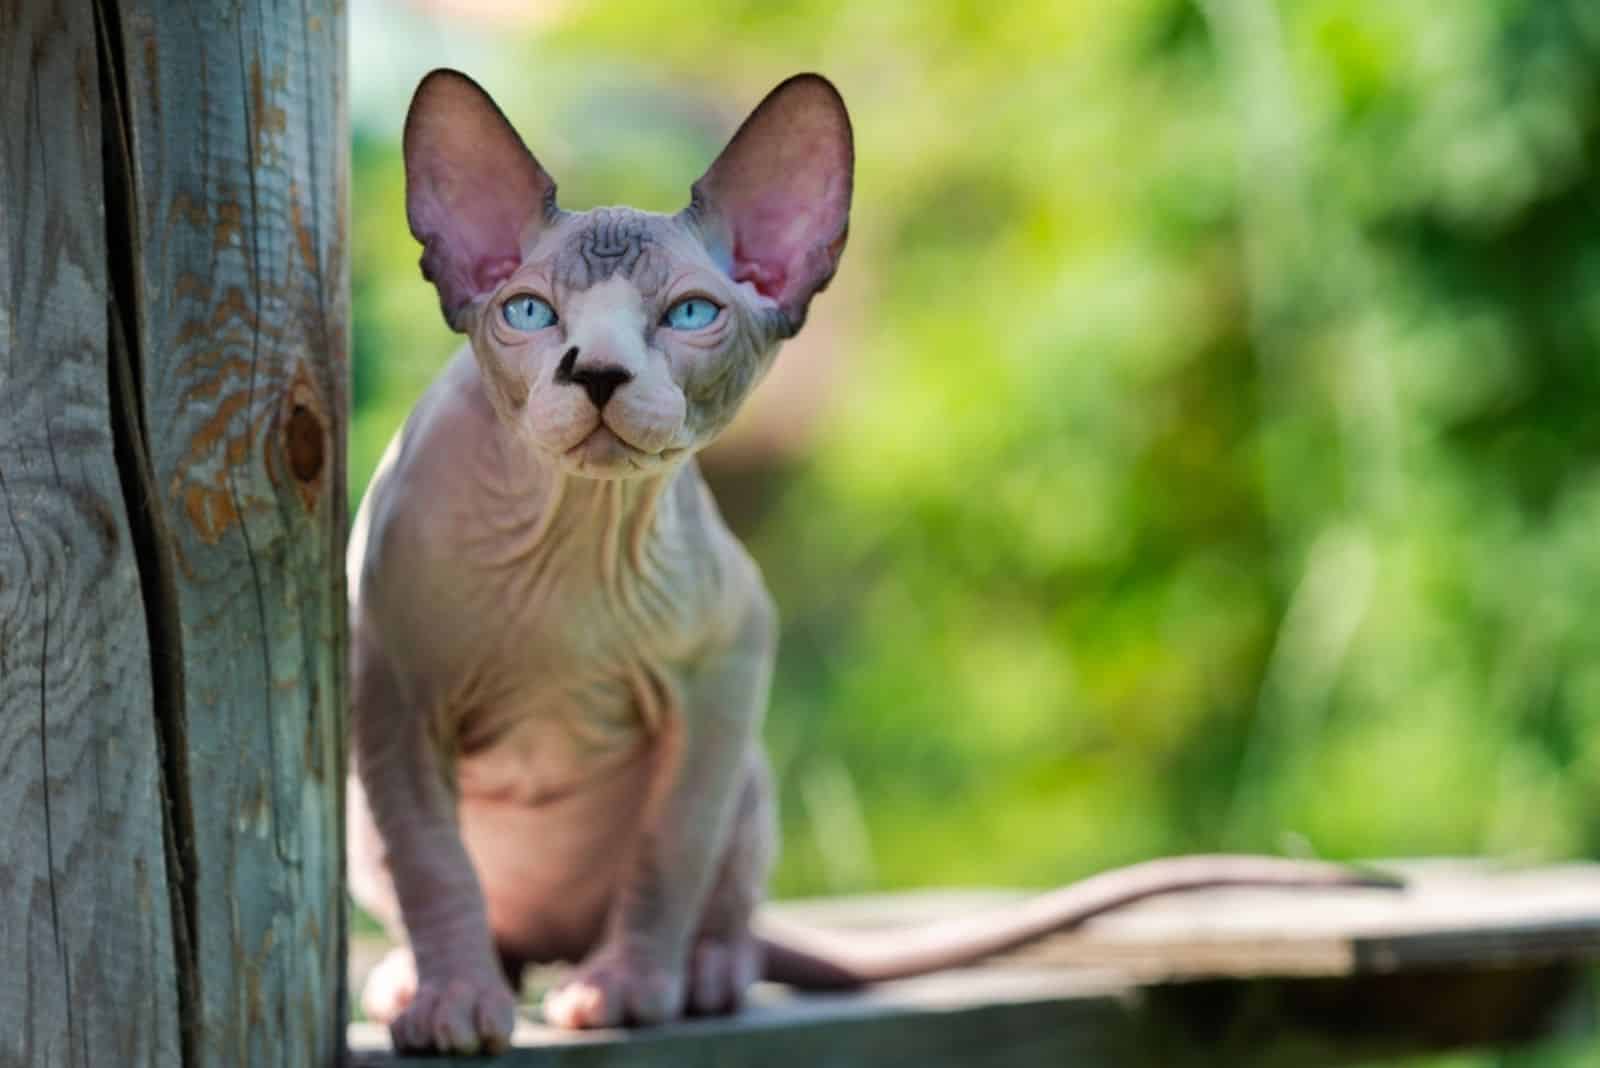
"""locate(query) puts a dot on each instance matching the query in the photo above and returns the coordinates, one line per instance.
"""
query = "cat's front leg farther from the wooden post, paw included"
(638, 973)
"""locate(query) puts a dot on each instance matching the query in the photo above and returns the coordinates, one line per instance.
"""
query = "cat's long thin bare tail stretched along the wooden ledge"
(815, 960)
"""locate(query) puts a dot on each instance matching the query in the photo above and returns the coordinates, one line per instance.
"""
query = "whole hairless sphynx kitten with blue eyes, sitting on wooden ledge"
(561, 655)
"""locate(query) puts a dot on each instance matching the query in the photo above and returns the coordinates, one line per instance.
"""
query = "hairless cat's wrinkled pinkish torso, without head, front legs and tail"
(554, 655)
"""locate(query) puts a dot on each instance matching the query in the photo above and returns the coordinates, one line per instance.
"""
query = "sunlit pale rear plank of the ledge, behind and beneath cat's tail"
(1454, 914)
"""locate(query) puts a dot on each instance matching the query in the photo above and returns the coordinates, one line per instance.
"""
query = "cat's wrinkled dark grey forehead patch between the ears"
(607, 244)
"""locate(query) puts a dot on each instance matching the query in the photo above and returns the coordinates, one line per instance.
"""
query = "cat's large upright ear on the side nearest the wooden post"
(474, 194)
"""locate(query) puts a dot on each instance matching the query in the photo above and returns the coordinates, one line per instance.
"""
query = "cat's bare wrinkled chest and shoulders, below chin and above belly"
(548, 624)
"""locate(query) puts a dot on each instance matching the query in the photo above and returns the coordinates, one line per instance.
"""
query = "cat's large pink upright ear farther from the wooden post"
(775, 207)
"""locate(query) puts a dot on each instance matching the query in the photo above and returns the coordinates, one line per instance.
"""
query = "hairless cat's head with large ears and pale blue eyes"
(618, 341)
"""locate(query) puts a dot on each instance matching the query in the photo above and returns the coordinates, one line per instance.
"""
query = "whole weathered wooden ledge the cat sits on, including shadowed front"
(1223, 978)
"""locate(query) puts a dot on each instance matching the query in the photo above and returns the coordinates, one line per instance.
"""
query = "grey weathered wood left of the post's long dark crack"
(86, 914)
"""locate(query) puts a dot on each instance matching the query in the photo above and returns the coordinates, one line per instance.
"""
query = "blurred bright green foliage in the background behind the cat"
(1198, 448)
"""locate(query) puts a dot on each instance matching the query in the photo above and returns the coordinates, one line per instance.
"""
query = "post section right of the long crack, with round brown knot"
(239, 143)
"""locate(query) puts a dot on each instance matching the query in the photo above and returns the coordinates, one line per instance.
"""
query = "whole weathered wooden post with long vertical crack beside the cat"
(174, 385)
